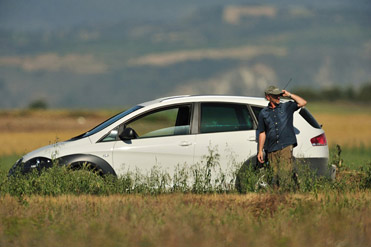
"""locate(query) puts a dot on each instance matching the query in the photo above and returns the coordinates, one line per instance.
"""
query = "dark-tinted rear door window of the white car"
(222, 117)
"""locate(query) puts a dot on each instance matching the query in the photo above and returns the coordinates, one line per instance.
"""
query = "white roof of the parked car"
(207, 98)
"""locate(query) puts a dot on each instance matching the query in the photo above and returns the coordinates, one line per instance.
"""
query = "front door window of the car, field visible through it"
(166, 122)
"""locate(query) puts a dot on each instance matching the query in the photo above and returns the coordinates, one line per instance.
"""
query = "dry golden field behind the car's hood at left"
(22, 132)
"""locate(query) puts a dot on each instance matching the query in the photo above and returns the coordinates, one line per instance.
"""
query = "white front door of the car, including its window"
(163, 139)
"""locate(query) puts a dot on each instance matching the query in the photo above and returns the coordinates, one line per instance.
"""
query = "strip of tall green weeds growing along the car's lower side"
(203, 178)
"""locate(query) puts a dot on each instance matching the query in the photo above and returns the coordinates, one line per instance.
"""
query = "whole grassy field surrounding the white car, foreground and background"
(64, 207)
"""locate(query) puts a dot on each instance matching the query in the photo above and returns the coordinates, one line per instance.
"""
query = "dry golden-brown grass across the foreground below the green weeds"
(187, 220)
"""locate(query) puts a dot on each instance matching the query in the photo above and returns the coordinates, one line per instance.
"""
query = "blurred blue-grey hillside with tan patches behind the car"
(85, 54)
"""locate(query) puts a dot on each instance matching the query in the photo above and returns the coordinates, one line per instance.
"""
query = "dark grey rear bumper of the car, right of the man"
(319, 165)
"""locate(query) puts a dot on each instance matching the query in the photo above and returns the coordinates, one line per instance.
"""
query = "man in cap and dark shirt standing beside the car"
(276, 130)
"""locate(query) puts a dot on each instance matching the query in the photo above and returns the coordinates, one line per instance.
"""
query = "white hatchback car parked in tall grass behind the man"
(179, 130)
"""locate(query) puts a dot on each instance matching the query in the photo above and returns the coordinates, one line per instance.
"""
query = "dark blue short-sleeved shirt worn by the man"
(278, 125)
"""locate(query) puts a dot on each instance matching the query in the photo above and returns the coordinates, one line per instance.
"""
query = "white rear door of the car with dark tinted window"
(228, 131)
